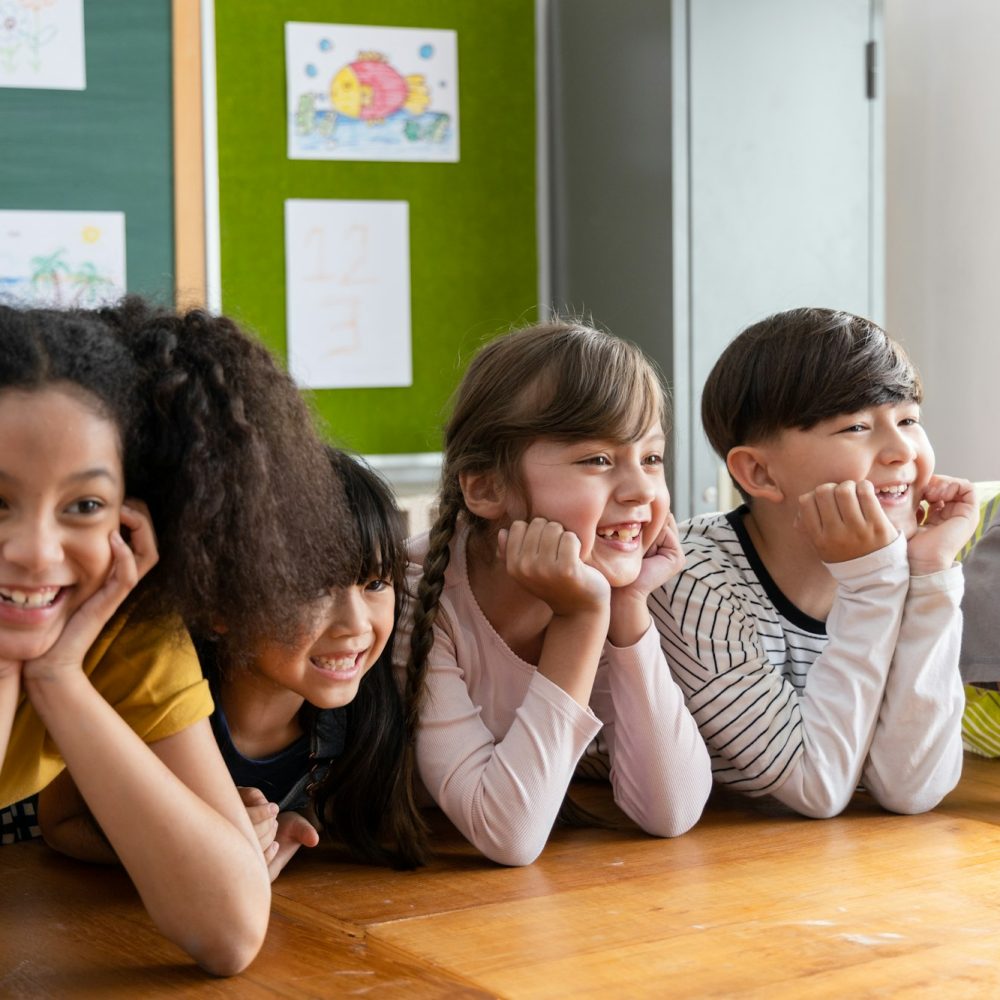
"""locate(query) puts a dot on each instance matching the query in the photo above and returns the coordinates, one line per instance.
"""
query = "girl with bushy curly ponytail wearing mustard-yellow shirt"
(115, 426)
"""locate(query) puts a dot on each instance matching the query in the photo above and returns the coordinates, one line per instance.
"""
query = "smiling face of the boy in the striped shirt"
(883, 444)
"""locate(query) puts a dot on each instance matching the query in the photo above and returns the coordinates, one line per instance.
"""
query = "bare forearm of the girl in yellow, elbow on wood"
(187, 860)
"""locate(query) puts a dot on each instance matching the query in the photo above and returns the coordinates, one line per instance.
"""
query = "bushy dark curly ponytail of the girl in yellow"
(251, 522)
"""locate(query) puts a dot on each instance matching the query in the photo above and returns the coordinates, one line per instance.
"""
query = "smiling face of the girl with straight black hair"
(346, 633)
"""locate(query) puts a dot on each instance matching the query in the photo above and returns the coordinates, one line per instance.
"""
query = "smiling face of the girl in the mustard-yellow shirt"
(61, 492)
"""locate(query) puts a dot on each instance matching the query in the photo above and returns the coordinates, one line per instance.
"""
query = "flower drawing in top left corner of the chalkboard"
(41, 44)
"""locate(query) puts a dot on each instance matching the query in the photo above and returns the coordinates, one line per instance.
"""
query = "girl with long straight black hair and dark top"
(313, 730)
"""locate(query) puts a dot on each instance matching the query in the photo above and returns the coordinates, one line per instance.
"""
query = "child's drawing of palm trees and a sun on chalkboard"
(62, 258)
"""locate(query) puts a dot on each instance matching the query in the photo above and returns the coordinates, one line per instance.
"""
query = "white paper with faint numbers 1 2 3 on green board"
(347, 267)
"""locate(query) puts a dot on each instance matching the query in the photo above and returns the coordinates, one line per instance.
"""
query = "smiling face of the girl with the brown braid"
(611, 495)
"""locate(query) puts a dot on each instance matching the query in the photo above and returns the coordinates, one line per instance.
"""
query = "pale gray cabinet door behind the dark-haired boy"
(784, 174)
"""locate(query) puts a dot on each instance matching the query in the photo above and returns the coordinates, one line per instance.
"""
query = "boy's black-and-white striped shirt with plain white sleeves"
(742, 652)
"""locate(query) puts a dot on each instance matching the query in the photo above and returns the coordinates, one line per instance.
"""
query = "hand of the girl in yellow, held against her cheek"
(128, 566)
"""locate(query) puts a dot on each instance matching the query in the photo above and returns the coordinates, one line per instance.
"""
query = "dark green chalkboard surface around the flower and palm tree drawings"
(106, 148)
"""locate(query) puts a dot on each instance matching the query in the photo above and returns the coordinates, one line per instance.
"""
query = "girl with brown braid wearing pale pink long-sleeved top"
(529, 634)
